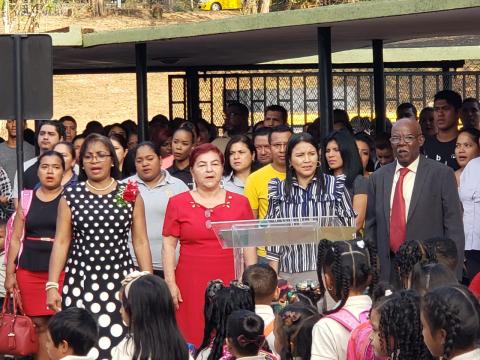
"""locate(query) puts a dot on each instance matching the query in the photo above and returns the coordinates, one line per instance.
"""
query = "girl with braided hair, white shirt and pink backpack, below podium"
(347, 270)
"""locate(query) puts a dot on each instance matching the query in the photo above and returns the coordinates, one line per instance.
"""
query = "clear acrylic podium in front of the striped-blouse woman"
(237, 235)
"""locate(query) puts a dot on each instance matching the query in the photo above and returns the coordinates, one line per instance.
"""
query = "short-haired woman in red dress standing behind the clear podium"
(188, 220)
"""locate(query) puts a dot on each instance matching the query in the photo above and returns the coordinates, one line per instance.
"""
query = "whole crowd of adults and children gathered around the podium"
(112, 247)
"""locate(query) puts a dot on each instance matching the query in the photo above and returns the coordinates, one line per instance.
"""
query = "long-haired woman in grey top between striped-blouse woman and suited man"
(341, 157)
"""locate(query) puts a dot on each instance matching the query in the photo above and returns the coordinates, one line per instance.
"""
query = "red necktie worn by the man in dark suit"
(398, 221)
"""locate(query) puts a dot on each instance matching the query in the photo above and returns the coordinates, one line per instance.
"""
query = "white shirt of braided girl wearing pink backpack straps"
(330, 338)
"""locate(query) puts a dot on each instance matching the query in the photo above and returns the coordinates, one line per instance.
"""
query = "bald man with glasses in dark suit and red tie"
(413, 198)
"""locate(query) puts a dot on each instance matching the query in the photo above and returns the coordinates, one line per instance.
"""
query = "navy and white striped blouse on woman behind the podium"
(333, 201)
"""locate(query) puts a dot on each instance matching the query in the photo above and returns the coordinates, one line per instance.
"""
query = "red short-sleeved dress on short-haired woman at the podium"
(201, 257)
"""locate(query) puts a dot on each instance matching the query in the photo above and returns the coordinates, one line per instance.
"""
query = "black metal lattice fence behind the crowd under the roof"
(297, 91)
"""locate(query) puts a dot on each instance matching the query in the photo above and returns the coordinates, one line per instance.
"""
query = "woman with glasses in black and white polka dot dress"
(95, 218)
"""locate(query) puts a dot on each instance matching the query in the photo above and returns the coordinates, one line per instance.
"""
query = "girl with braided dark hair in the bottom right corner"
(450, 317)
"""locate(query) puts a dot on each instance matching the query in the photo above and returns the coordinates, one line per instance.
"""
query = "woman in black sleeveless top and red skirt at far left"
(28, 260)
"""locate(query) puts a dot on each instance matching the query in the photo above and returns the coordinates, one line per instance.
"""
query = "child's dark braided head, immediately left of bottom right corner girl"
(397, 331)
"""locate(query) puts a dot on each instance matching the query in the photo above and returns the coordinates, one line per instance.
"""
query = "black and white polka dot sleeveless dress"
(99, 259)
